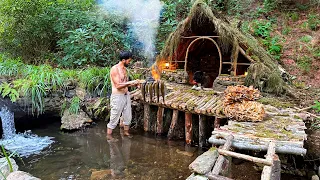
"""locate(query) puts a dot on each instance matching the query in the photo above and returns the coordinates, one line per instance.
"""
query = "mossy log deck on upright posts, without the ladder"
(284, 127)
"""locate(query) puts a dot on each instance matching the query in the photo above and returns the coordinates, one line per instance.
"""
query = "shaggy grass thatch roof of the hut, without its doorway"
(202, 21)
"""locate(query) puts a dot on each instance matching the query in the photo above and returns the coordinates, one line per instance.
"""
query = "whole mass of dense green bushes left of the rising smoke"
(73, 33)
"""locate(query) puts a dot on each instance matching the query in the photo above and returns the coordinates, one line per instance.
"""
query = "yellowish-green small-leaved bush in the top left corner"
(29, 26)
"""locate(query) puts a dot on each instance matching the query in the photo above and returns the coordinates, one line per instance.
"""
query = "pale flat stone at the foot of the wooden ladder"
(202, 165)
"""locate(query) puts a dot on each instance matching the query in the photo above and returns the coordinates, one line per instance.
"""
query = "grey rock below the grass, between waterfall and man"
(74, 121)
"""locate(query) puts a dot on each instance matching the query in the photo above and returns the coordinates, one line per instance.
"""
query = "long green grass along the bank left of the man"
(36, 82)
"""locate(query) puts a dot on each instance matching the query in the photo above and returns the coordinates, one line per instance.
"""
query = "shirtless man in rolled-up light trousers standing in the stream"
(120, 101)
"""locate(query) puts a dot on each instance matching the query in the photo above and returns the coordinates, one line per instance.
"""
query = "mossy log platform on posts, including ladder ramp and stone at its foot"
(281, 131)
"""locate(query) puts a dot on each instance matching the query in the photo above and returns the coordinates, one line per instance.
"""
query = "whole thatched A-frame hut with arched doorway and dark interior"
(205, 41)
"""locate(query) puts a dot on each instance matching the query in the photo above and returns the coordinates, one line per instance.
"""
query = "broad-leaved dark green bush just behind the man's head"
(97, 42)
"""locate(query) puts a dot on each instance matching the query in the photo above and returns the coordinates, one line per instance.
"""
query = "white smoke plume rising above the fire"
(143, 16)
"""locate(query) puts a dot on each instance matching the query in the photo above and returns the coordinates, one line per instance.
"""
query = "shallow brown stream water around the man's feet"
(77, 155)
